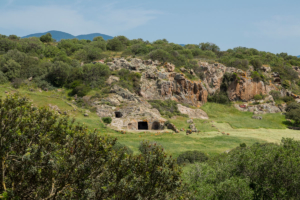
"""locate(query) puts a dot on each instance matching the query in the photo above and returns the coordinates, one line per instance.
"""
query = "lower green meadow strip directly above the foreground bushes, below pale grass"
(211, 143)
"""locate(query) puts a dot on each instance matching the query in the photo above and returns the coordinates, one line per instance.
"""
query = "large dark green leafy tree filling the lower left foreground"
(48, 157)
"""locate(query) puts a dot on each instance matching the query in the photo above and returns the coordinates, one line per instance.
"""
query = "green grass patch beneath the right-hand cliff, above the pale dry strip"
(237, 119)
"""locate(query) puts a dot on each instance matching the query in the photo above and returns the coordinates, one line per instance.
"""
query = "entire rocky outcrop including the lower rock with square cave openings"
(162, 81)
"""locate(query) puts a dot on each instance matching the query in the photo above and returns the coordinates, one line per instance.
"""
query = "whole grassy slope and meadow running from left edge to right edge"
(210, 140)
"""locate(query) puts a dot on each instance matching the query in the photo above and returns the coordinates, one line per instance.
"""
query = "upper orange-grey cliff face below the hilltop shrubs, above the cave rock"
(162, 81)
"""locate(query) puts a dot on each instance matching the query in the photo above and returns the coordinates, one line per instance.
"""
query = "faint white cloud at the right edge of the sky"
(278, 27)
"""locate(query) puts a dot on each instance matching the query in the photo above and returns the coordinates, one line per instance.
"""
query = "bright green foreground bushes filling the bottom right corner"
(262, 171)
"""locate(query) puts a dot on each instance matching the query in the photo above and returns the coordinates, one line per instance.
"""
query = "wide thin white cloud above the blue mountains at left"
(106, 19)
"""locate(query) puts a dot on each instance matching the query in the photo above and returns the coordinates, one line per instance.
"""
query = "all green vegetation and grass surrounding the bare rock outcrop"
(39, 147)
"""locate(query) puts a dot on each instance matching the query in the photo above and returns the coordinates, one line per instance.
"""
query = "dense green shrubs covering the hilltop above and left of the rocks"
(59, 64)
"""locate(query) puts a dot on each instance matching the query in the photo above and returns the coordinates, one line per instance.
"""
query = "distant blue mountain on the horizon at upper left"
(59, 35)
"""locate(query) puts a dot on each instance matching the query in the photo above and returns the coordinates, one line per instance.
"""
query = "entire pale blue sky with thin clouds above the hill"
(267, 25)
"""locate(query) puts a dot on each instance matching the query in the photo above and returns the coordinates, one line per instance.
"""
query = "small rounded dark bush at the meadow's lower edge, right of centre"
(192, 157)
